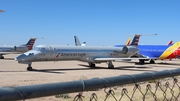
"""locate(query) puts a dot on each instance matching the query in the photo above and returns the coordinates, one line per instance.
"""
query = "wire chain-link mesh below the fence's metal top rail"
(155, 90)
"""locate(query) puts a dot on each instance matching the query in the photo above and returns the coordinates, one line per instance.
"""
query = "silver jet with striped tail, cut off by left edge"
(16, 49)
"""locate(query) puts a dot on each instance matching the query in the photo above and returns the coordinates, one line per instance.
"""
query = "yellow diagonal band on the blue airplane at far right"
(170, 50)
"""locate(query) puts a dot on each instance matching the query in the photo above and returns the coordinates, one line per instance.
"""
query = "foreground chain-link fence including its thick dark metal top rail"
(149, 86)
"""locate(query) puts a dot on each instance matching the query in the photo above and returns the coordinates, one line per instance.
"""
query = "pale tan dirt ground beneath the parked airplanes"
(15, 74)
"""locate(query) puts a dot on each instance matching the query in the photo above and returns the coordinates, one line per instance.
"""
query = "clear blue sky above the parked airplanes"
(97, 22)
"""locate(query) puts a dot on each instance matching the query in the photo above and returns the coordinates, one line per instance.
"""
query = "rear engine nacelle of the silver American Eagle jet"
(131, 50)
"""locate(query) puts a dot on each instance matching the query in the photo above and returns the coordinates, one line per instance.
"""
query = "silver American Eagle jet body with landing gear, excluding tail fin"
(90, 54)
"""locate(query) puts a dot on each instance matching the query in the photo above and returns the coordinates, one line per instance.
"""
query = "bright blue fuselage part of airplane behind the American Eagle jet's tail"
(152, 51)
